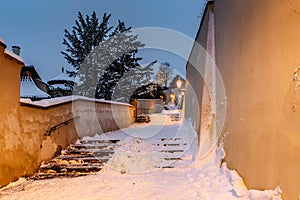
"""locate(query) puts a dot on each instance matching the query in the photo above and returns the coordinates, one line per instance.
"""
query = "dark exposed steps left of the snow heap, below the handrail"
(78, 159)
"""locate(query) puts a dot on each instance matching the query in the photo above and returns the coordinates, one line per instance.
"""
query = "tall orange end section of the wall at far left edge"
(10, 66)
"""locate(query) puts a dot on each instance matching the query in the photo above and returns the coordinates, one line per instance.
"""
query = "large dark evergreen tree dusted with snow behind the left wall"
(101, 55)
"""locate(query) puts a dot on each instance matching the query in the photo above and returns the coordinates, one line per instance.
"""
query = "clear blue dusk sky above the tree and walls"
(38, 26)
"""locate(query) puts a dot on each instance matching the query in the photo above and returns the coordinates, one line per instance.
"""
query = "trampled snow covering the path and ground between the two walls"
(207, 179)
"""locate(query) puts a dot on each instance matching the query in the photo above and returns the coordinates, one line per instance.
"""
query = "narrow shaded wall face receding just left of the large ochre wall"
(195, 109)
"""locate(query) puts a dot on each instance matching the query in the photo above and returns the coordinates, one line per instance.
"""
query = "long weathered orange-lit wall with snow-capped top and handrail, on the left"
(25, 136)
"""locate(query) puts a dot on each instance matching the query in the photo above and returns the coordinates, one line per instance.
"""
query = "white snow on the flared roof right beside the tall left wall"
(28, 89)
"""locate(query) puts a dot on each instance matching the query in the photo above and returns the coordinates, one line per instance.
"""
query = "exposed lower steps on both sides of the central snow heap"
(89, 156)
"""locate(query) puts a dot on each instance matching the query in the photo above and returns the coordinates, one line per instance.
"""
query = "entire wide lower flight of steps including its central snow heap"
(90, 155)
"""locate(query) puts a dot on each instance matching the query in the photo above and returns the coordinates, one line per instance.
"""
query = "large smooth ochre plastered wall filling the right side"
(257, 52)
